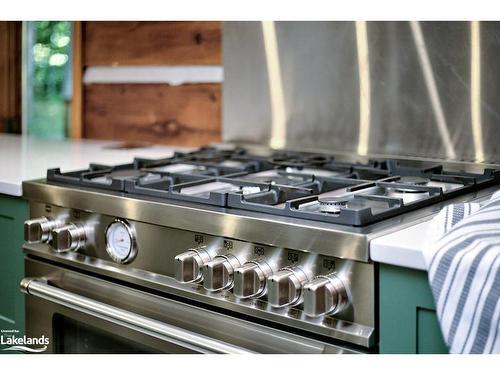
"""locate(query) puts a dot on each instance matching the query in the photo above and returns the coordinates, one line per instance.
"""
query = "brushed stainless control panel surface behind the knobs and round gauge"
(157, 246)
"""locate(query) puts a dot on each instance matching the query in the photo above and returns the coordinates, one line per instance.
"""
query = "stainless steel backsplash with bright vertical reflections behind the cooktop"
(428, 89)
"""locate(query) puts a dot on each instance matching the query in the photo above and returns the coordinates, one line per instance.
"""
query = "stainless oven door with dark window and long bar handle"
(80, 313)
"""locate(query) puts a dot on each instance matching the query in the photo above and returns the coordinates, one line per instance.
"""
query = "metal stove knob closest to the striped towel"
(324, 295)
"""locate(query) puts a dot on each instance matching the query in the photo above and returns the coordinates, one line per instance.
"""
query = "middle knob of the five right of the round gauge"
(250, 279)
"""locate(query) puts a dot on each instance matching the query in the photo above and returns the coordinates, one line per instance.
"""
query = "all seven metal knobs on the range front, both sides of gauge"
(288, 286)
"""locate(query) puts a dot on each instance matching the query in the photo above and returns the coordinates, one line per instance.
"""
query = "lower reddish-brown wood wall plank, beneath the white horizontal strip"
(187, 115)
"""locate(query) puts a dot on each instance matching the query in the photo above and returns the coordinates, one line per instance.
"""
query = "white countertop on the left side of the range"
(27, 158)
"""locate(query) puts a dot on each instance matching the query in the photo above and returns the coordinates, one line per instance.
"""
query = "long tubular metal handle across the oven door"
(40, 288)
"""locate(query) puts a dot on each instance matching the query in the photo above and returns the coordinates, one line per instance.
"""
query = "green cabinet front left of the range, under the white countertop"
(13, 213)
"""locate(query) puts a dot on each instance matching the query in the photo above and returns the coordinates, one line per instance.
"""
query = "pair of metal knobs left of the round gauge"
(63, 237)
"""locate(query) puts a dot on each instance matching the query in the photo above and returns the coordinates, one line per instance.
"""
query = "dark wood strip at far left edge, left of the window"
(10, 76)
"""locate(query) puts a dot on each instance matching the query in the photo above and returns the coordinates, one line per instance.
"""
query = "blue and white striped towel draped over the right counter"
(463, 262)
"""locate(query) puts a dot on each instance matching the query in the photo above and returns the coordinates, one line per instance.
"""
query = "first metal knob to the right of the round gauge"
(189, 265)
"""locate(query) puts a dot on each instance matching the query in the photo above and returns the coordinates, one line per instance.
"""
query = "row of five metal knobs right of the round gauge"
(288, 286)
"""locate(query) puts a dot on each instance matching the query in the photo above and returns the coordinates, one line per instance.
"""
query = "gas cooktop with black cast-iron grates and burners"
(294, 184)
